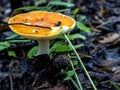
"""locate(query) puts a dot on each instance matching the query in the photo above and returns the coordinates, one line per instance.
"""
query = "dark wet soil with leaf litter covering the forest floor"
(101, 53)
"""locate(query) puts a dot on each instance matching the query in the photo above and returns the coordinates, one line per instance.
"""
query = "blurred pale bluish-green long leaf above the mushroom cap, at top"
(60, 3)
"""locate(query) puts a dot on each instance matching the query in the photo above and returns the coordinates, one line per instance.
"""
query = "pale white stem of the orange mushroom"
(43, 47)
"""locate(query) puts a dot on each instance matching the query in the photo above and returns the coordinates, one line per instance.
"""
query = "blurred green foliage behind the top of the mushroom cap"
(49, 6)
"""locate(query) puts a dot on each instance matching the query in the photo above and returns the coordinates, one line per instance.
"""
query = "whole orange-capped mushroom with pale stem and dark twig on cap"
(41, 26)
